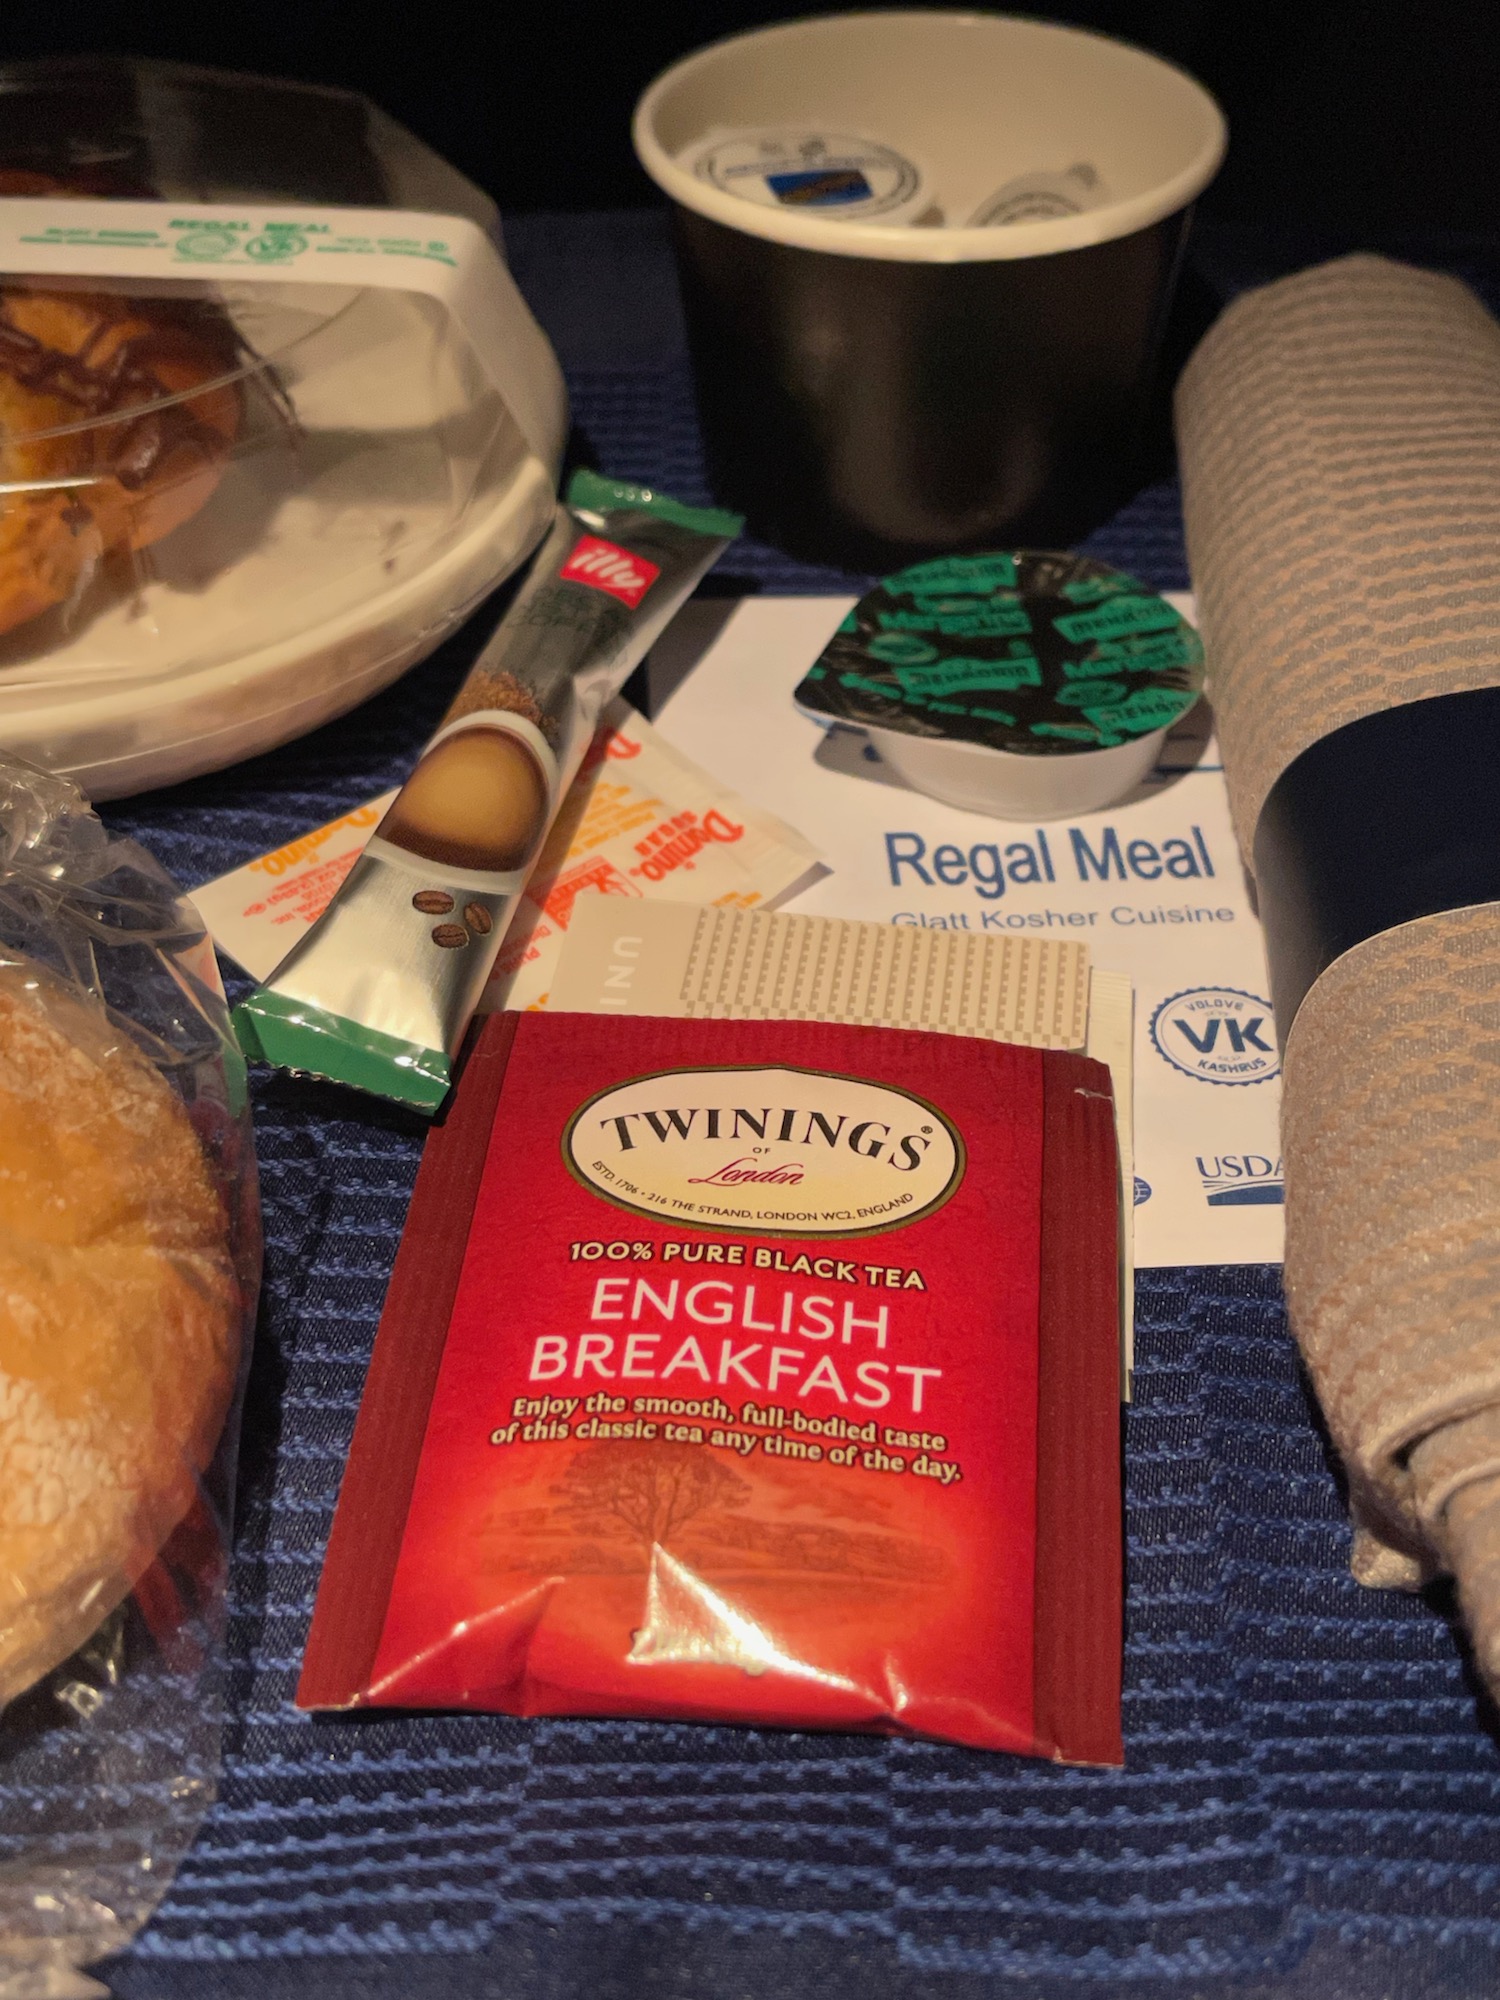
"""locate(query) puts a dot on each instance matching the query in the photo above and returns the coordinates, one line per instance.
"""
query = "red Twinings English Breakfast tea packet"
(747, 1373)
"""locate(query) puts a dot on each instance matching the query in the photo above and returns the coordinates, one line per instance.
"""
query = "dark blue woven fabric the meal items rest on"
(1311, 1803)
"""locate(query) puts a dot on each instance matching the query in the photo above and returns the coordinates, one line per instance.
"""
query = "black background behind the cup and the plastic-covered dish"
(1351, 123)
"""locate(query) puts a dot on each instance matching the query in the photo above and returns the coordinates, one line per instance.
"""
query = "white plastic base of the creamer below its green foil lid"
(1015, 787)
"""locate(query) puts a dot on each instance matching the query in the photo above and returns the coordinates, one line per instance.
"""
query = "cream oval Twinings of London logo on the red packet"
(779, 1153)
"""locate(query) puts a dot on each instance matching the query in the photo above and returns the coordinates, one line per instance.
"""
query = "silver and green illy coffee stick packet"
(383, 987)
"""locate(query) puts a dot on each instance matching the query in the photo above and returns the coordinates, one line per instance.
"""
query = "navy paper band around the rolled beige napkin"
(1387, 821)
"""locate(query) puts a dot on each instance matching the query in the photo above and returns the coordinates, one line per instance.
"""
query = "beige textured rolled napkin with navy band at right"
(1341, 457)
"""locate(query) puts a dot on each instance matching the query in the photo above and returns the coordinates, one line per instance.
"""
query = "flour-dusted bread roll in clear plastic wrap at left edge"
(111, 1757)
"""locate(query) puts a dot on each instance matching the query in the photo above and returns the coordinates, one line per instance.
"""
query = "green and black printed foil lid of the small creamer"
(1033, 653)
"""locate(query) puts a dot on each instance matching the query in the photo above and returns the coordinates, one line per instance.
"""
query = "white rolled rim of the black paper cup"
(903, 245)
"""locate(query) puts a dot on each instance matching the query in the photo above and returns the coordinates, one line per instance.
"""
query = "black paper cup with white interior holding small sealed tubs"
(927, 263)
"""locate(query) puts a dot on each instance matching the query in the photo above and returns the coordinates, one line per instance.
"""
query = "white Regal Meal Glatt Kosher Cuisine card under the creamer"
(1153, 887)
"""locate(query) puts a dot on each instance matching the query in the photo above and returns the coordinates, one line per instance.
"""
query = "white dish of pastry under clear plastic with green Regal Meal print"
(273, 417)
